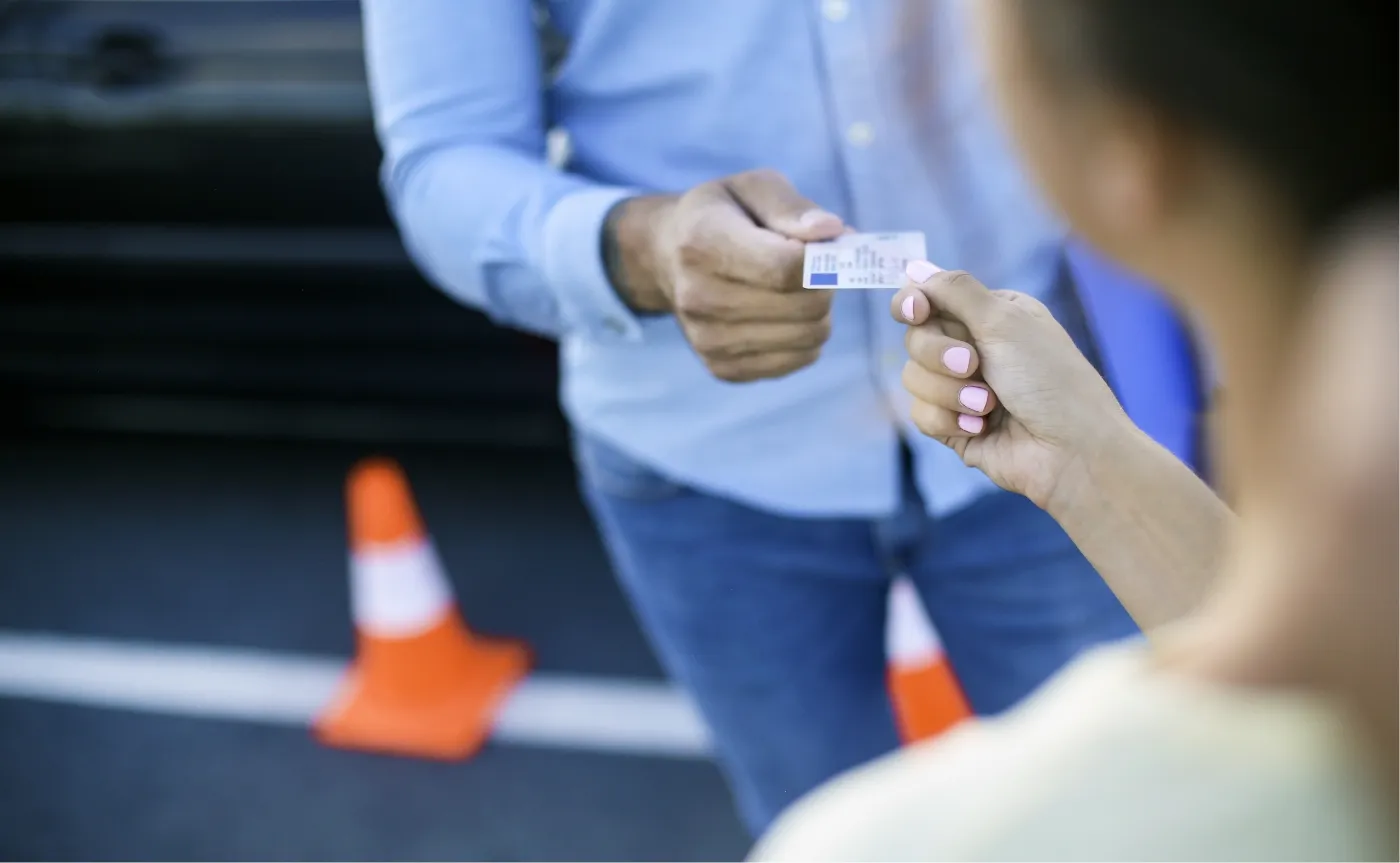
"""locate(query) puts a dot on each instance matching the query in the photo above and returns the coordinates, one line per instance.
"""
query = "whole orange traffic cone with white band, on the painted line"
(422, 683)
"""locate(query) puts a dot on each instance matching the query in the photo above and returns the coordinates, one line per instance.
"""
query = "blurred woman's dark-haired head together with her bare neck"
(1226, 148)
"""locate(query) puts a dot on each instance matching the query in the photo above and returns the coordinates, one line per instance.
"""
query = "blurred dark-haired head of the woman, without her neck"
(1174, 132)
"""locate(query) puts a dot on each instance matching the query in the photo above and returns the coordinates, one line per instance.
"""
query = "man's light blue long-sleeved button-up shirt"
(659, 96)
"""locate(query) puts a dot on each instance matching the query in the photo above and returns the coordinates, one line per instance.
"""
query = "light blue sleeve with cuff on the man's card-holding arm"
(458, 106)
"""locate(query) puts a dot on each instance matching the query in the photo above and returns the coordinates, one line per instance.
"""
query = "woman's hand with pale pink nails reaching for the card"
(999, 380)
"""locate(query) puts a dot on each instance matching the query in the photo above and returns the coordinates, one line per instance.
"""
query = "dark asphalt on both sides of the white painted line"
(243, 546)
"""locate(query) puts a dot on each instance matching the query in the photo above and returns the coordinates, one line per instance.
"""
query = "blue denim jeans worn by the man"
(776, 626)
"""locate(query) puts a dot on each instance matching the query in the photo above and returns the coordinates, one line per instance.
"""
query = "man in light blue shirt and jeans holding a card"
(744, 445)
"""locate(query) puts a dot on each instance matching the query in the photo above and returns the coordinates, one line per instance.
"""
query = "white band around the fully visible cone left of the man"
(398, 591)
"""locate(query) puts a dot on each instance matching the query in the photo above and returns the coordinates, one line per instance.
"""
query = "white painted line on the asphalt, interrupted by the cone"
(635, 718)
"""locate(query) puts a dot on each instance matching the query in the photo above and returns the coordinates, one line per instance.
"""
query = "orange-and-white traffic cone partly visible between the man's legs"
(922, 684)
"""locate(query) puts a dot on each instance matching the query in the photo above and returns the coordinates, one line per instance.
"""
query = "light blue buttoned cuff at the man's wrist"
(576, 272)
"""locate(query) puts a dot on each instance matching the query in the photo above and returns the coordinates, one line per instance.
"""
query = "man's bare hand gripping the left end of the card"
(727, 260)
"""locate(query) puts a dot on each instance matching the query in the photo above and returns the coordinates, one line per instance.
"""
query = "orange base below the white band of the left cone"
(433, 697)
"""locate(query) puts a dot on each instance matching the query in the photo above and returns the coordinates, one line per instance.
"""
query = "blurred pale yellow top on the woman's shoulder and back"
(1111, 761)
